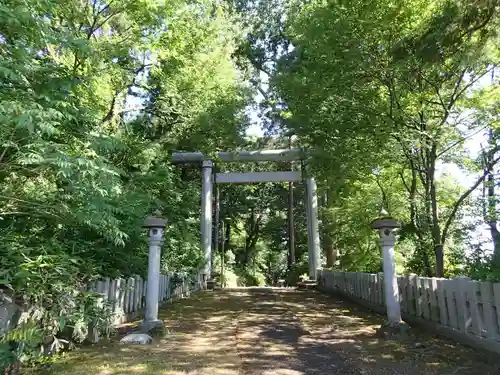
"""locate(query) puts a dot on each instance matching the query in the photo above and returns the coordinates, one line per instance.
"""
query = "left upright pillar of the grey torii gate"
(206, 216)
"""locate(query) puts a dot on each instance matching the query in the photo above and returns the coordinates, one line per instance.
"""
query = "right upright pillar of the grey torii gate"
(314, 255)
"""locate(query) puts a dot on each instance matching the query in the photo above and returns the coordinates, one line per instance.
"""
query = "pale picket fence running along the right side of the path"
(469, 308)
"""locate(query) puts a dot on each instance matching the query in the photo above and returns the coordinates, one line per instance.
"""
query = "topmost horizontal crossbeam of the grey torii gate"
(292, 154)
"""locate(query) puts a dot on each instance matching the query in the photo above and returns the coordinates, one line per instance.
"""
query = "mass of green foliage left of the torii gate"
(94, 96)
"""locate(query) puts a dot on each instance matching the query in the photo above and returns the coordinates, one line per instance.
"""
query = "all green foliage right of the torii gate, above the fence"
(400, 102)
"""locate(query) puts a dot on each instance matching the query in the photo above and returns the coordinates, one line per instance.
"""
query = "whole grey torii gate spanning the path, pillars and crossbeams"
(209, 178)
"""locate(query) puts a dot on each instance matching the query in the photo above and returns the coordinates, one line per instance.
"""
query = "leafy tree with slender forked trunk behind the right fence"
(367, 77)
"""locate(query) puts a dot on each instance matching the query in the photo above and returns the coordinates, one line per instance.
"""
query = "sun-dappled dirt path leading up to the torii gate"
(273, 332)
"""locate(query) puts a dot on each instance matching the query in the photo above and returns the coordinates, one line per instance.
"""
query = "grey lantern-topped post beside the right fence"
(386, 227)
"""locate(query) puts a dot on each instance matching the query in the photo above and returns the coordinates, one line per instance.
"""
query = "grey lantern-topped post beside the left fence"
(156, 226)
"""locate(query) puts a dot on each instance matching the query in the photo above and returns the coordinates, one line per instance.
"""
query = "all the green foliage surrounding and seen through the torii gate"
(399, 100)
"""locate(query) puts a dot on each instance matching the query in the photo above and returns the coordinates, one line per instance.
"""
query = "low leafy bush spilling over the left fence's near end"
(59, 309)
